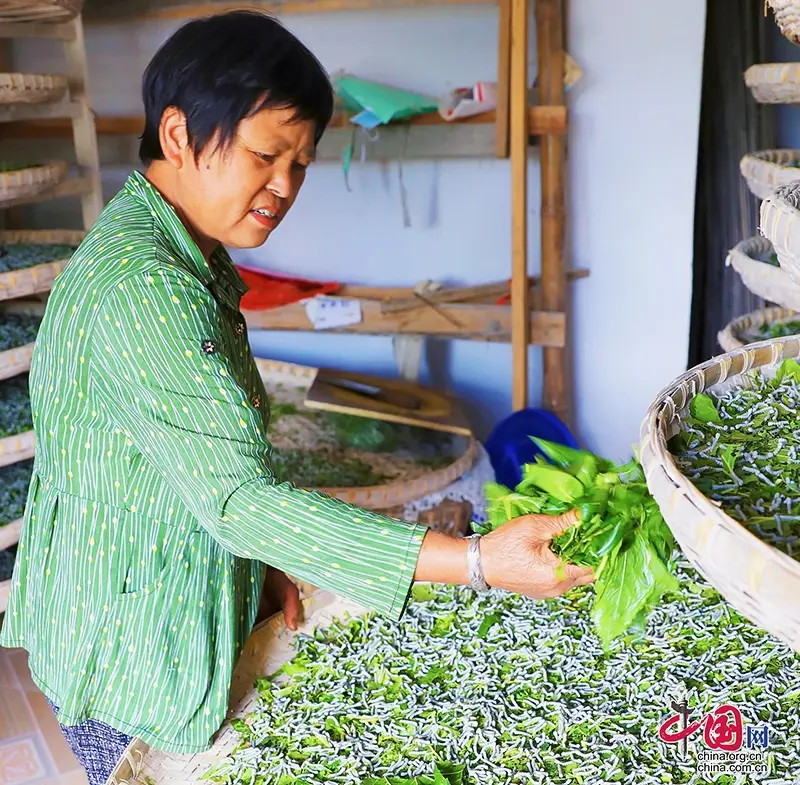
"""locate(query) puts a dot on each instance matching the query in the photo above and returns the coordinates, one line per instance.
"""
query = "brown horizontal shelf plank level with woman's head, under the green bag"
(542, 119)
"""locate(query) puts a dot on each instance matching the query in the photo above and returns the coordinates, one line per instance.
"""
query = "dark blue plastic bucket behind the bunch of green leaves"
(510, 446)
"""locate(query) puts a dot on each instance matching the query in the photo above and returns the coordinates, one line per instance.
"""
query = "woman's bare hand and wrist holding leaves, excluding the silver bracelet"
(516, 557)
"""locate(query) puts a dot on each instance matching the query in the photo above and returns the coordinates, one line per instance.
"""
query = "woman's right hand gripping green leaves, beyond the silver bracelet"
(517, 557)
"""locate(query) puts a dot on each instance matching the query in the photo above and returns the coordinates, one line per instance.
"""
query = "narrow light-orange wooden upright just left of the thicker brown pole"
(518, 135)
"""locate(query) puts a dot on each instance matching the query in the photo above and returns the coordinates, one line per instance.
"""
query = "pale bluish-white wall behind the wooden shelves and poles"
(632, 147)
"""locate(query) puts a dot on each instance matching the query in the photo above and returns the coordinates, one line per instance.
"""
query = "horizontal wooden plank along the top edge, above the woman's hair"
(104, 11)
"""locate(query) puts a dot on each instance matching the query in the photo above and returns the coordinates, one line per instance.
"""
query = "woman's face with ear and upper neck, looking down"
(238, 196)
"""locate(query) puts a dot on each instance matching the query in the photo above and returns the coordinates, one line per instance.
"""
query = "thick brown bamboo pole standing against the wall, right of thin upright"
(550, 49)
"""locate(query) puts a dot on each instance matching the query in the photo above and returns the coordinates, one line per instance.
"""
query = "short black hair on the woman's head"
(221, 69)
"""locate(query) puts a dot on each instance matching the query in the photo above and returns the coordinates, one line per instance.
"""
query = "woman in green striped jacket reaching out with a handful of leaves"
(153, 510)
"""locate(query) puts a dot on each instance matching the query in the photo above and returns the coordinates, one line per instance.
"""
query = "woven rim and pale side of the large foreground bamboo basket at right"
(761, 582)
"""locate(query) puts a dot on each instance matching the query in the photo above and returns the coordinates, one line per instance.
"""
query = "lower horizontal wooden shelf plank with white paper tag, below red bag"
(476, 322)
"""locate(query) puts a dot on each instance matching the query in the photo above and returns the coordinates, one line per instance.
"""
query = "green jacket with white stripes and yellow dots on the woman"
(153, 508)
